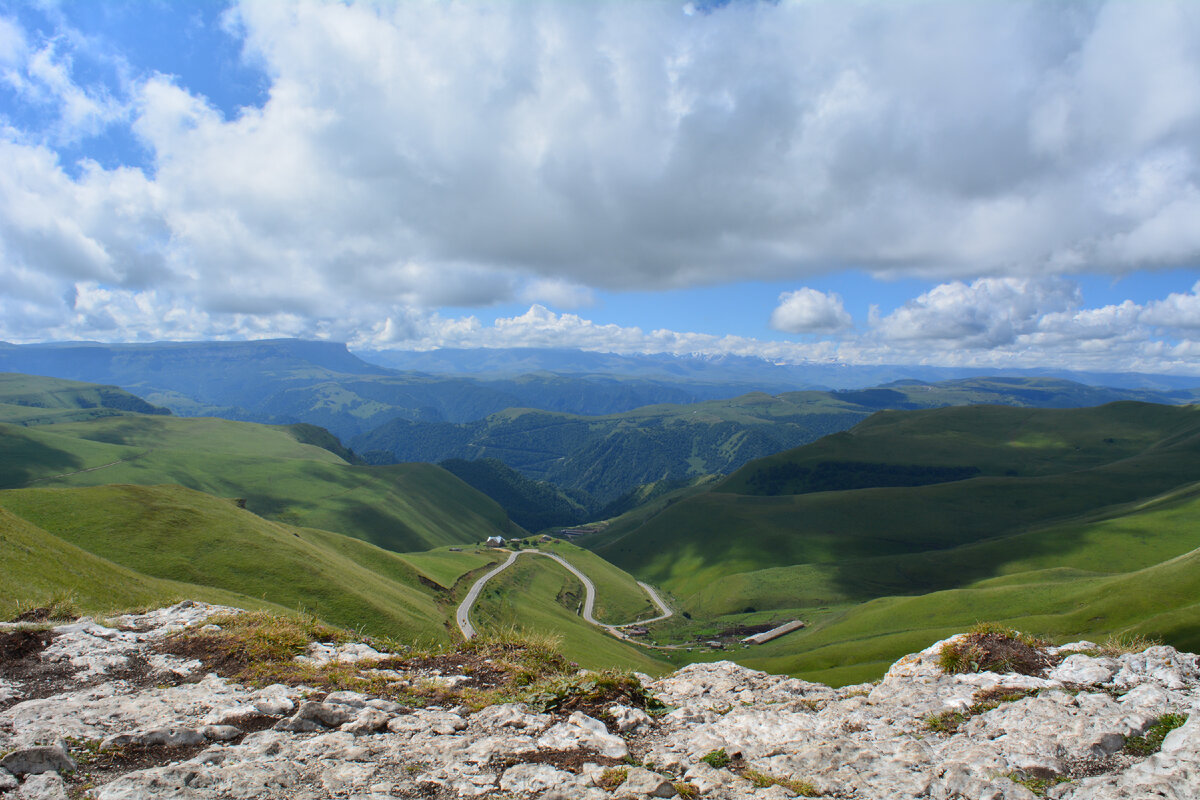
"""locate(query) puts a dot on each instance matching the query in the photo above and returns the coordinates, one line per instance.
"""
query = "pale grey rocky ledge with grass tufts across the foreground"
(104, 712)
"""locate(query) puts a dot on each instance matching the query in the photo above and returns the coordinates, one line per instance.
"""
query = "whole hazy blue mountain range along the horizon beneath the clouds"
(325, 384)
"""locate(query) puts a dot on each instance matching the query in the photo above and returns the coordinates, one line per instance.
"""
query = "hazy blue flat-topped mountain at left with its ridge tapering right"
(323, 384)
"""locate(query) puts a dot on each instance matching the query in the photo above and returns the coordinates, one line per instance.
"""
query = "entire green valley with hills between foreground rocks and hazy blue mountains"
(923, 513)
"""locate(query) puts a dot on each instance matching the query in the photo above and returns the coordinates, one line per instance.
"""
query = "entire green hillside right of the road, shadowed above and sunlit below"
(1082, 524)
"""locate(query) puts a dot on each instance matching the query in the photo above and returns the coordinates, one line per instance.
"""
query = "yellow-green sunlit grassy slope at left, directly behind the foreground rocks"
(170, 533)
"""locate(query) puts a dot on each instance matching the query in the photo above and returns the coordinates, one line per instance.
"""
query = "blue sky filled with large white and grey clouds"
(993, 184)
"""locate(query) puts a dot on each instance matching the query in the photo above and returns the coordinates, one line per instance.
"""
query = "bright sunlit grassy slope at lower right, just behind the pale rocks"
(1138, 573)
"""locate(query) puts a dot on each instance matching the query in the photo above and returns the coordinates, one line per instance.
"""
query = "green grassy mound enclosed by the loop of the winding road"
(538, 596)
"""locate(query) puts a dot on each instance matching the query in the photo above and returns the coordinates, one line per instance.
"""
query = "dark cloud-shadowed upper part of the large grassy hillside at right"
(1052, 466)
